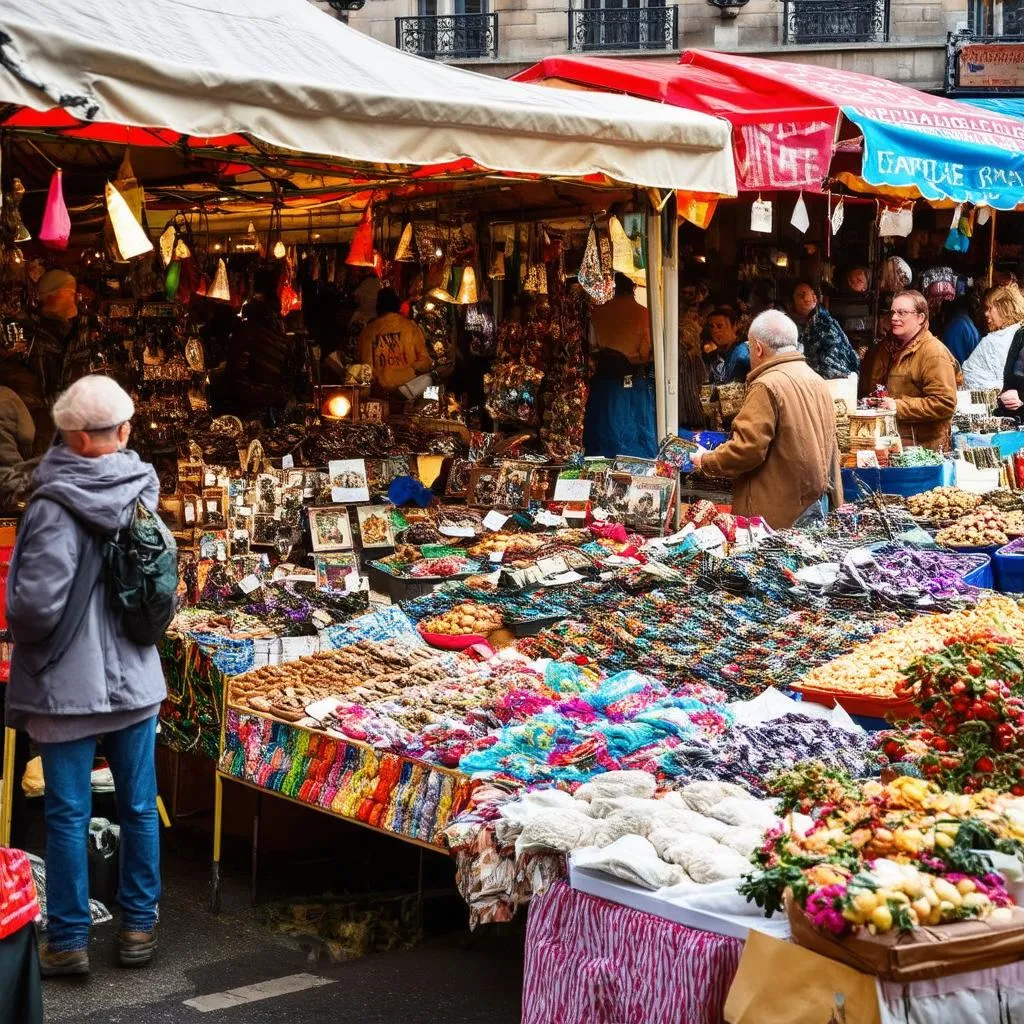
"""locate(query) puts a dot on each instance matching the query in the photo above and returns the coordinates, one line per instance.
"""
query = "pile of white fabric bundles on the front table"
(702, 834)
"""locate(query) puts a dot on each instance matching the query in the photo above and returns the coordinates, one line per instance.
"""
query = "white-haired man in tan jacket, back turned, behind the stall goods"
(783, 455)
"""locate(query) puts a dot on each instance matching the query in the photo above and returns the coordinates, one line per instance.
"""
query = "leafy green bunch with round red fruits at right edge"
(970, 733)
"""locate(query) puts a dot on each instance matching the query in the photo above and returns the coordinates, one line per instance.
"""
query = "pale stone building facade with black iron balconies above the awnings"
(902, 40)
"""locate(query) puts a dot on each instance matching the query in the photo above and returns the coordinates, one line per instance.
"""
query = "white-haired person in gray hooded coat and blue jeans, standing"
(76, 676)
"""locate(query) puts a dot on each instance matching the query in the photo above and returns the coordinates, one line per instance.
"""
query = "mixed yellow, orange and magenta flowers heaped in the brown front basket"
(908, 824)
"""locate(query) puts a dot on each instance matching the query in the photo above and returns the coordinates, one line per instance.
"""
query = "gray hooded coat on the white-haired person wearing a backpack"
(103, 672)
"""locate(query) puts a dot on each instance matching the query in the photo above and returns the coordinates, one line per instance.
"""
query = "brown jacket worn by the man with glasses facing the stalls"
(923, 380)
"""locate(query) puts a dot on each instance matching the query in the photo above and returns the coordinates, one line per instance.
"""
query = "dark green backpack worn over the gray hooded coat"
(143, 576)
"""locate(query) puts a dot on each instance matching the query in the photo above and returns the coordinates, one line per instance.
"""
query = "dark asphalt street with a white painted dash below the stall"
(231, 967)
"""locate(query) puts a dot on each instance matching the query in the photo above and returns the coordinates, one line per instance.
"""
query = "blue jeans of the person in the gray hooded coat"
(68, 770)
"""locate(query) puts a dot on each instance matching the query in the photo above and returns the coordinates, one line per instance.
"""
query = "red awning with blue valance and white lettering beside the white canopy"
(788, 120)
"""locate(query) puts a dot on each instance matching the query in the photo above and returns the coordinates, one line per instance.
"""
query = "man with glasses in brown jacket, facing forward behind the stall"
(919, 374)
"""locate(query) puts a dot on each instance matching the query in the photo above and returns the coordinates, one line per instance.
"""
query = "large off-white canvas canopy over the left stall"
(286, 74)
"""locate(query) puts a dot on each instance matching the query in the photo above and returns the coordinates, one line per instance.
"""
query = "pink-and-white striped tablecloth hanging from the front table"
(591, 962)
